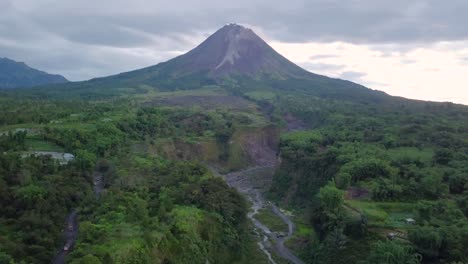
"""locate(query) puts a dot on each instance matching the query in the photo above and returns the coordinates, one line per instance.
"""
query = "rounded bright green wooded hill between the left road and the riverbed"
(154, 215)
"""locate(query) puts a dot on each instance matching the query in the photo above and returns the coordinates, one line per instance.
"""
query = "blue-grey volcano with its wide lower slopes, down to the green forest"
(235, 58)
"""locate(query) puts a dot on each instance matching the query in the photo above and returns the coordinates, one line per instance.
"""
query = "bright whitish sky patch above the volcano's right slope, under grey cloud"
(438, 72)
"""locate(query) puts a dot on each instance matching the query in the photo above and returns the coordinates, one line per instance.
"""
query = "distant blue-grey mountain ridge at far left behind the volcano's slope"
(15, 74)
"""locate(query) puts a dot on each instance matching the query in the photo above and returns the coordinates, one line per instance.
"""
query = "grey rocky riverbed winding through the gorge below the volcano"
(250, 182)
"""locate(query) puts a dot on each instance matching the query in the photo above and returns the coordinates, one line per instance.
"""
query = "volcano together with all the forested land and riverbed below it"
(230, 153)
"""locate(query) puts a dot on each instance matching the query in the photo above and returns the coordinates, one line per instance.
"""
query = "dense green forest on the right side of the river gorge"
(386, 184)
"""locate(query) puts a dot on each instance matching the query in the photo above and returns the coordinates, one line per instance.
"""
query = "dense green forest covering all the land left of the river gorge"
(152, 209)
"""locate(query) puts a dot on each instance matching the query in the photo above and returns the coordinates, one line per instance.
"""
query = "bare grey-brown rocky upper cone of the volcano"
(236, 50)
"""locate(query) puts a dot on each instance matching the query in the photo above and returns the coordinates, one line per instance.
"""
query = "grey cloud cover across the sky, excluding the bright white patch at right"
(84, 39)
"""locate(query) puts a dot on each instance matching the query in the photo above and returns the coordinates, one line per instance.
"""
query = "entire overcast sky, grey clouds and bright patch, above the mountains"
(416, 49)
